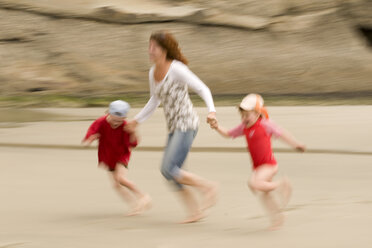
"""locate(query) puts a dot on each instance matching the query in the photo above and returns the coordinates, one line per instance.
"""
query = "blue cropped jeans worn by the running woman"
(178, 146)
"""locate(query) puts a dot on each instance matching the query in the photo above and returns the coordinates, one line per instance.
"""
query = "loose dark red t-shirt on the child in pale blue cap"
(114, 145)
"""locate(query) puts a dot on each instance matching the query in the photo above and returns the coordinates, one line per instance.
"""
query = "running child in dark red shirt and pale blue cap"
(114, 150)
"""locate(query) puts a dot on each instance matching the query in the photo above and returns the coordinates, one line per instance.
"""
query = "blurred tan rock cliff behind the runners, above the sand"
(87, 52)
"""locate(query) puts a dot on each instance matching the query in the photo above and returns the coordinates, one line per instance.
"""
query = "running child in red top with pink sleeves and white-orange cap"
(258, 129)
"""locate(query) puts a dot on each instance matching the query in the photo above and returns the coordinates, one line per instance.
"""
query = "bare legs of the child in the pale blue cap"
(143, 200)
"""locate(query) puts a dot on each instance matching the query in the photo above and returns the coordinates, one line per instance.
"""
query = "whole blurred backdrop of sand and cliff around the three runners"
(59, 56)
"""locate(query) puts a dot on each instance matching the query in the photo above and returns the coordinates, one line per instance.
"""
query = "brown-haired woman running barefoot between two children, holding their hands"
(170, 79)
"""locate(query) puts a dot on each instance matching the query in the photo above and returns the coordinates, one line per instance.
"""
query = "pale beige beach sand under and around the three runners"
(59, 198)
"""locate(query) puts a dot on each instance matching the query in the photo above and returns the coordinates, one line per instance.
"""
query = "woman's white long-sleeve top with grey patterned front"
(172, 93)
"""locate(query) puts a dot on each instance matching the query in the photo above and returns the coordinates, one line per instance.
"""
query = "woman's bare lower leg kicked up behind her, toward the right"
(208, 189)
